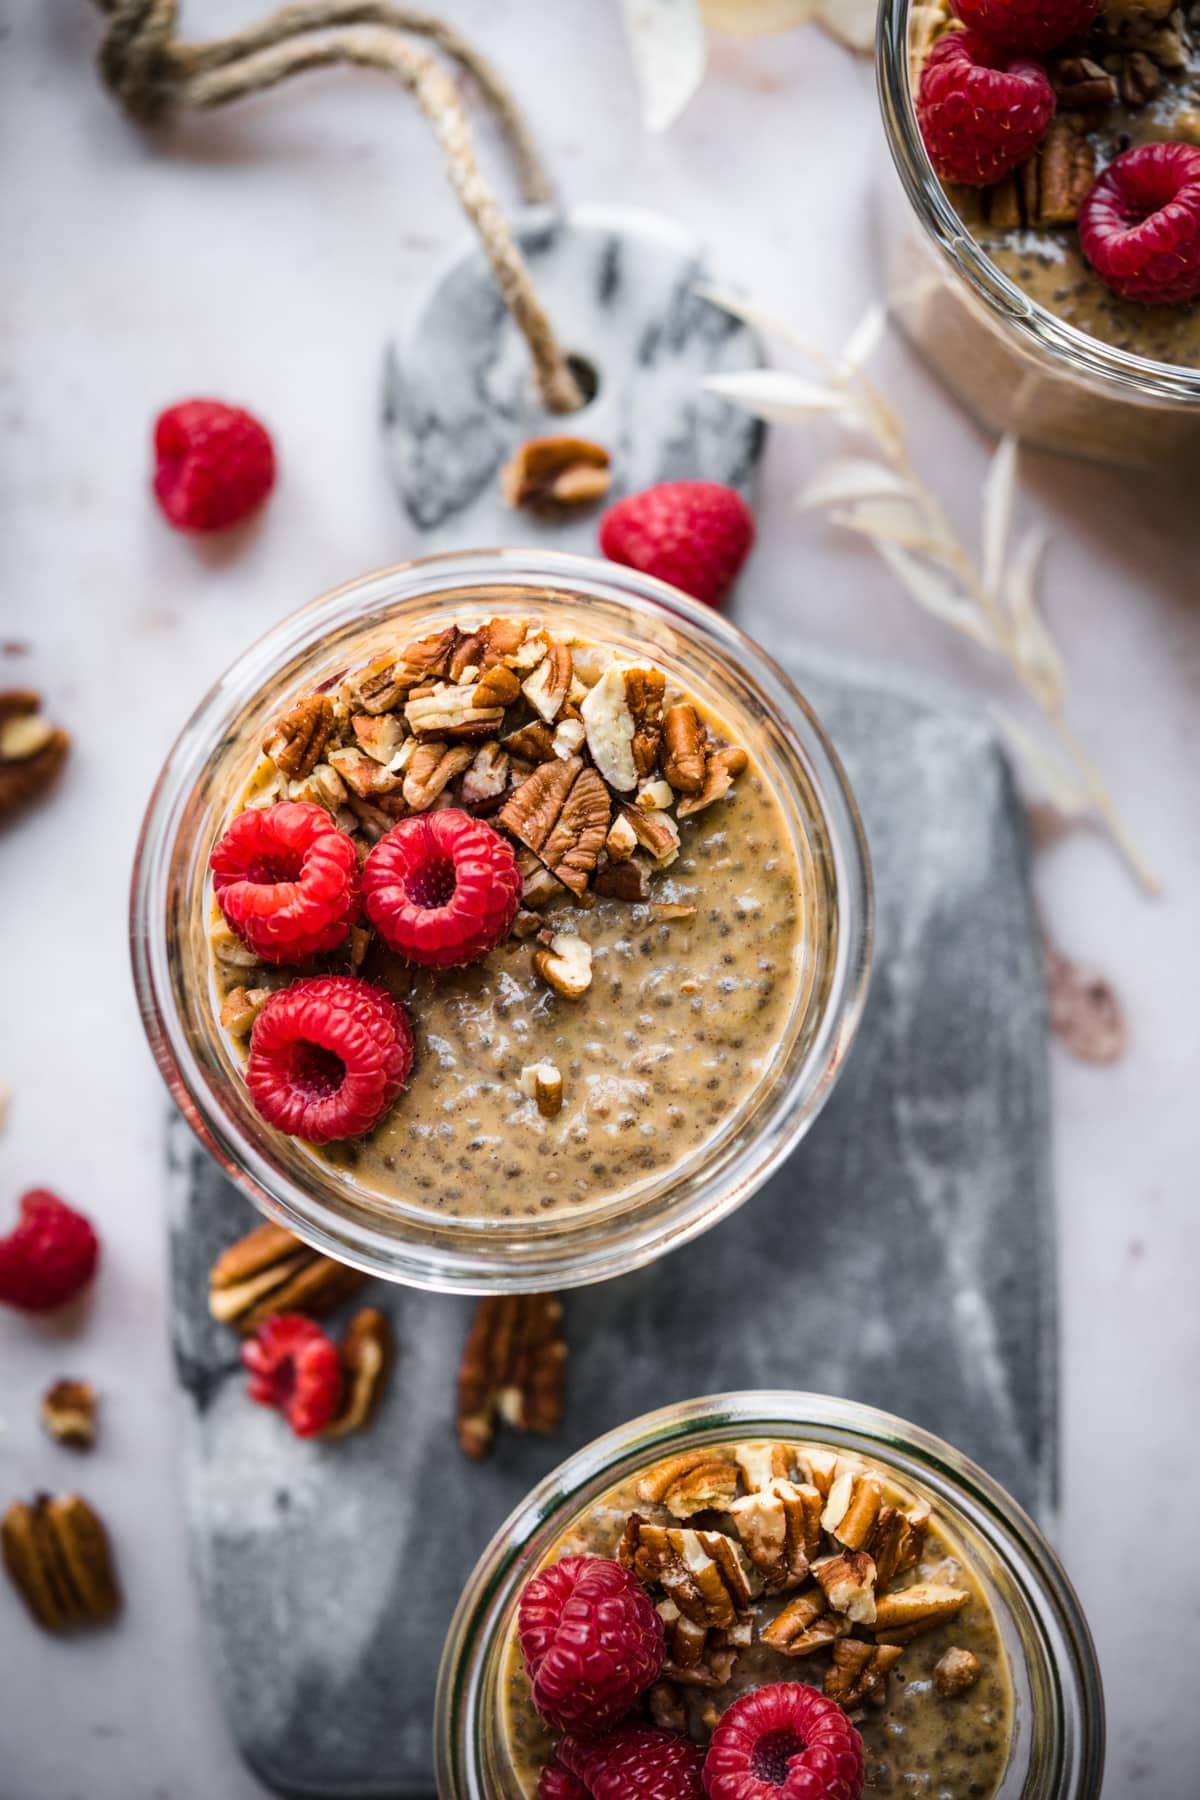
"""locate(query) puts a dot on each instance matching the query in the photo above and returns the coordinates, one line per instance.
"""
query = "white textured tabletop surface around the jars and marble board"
(265, 256)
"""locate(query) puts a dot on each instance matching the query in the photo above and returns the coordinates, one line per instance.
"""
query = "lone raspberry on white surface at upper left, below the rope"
(215, 465)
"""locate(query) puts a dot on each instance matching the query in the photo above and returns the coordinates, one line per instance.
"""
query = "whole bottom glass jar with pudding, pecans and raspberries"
(728, 1587)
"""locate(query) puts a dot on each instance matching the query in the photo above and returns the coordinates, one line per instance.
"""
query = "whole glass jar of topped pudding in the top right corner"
(1055, 294)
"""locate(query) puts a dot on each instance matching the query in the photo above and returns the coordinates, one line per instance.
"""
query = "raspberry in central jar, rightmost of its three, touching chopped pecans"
(442, 888)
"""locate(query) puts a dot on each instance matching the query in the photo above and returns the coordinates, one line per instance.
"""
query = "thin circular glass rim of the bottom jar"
(906, 1450)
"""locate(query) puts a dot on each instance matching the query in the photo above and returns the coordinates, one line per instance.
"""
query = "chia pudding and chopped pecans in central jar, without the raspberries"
(656, 960)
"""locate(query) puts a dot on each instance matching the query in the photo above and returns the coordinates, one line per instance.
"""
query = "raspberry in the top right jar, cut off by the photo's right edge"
(1140, 228)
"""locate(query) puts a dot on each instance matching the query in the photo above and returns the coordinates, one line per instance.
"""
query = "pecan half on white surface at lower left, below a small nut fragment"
(60, 1561)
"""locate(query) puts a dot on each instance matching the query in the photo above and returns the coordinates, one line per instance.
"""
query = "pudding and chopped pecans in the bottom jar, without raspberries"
(832, 1574)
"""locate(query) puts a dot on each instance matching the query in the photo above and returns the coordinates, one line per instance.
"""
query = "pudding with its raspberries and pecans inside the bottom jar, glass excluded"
(766, 1565)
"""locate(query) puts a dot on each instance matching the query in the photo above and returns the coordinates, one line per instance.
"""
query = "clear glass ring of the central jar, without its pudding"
(211, 764)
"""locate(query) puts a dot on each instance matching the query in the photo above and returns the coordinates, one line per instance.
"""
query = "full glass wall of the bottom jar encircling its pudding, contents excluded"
(1059, 1713)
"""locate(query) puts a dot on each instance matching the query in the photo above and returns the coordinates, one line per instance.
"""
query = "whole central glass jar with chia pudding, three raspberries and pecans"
(501, 921)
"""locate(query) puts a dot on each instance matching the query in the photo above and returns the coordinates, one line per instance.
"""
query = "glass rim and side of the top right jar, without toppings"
(1012, 363)
